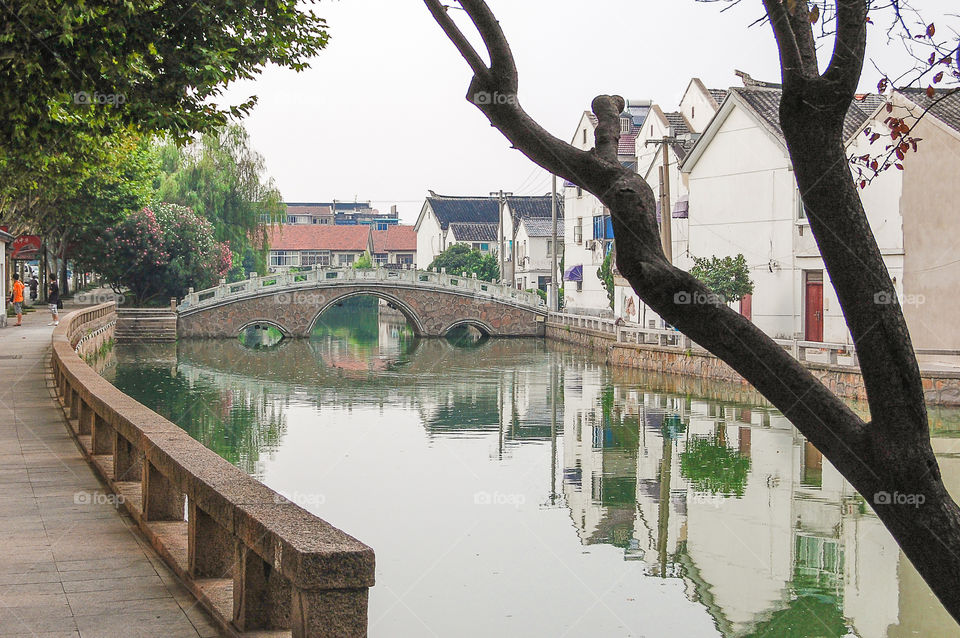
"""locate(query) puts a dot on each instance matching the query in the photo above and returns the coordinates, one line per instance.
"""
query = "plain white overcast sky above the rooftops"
(381, 114)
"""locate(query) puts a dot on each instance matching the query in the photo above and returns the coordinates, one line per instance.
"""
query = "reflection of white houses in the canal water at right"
(766, 533)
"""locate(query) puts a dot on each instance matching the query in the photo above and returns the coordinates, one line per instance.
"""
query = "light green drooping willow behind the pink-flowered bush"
(223, 179)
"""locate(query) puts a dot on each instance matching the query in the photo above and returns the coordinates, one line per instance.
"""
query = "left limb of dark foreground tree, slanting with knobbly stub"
(676, 295)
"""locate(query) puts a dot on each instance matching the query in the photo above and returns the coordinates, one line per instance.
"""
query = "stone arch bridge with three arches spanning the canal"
(434, 303)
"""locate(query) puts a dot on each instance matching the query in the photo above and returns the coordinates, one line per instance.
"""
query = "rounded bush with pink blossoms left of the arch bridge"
(161, 252)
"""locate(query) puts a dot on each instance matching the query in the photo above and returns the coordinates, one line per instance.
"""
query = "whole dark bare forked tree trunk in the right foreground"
(890, 454)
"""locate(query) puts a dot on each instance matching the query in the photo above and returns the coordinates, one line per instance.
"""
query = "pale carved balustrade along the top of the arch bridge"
(319, 276)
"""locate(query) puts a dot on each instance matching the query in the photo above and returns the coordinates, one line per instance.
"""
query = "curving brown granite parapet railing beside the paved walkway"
(255, 560)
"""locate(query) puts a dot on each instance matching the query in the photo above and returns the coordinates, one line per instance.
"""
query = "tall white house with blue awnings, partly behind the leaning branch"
(588, 231)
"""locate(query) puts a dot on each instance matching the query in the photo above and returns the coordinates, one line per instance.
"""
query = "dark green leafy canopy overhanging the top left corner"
(156, 64)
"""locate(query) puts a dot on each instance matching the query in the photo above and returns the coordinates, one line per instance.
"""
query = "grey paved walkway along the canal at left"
(70, 563)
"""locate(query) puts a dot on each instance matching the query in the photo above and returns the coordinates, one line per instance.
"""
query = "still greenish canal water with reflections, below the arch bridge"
(519, 488)
